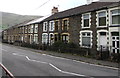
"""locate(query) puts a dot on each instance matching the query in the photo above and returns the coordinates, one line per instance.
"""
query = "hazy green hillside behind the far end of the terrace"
(9, 19)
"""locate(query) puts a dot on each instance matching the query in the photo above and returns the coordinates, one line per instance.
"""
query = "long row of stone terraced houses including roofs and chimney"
(93, 26)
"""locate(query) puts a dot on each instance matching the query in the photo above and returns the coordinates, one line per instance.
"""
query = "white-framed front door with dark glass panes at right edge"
(115, 43)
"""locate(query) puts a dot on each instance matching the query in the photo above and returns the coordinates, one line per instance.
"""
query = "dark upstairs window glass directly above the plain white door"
(102, 18)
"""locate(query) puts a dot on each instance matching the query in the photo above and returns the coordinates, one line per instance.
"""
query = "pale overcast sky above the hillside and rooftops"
(37, 7)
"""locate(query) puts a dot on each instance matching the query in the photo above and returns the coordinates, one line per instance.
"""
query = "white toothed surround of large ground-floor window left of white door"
(86, 31)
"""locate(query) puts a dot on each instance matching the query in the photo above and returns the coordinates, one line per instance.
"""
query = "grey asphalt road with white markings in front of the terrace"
(22, 62)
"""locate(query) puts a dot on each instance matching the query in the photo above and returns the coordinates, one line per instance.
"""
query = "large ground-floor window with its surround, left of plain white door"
(86, 38)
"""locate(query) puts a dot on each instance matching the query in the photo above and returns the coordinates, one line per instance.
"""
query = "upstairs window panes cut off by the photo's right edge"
(115, 17)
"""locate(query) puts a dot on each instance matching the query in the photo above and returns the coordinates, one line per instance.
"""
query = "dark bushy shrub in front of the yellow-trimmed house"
(67, 48)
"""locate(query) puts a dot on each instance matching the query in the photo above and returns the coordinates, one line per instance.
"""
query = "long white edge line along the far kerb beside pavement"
(82, 62)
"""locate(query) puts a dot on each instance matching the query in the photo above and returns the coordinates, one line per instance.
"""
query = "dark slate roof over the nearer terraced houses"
(81, 9)
